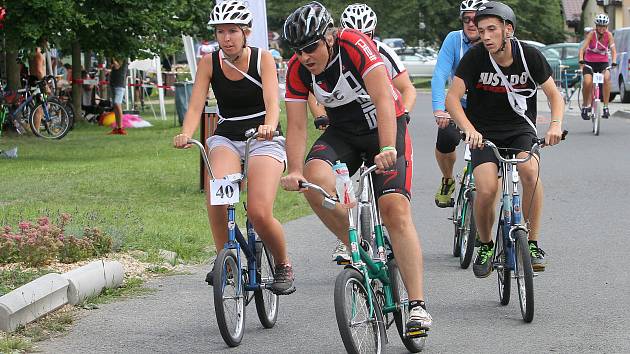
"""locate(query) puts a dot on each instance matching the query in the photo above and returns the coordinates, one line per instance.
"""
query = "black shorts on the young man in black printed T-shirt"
(518, 141)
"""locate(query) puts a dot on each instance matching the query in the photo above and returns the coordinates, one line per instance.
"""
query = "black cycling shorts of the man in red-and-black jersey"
(337, 145)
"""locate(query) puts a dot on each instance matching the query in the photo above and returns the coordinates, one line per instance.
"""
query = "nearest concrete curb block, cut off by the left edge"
(33, 300)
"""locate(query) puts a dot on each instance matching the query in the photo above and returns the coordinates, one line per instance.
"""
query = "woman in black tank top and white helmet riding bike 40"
(245, 85)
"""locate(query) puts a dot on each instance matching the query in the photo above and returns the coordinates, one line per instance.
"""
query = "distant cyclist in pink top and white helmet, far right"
(597, 45)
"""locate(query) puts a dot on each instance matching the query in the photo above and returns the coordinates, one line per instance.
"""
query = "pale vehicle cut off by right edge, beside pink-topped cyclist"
(620, 75)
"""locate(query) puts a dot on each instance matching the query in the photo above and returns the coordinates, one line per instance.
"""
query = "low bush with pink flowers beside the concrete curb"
(38, 244)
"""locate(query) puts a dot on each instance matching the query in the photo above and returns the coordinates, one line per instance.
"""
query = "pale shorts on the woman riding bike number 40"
(274, 148)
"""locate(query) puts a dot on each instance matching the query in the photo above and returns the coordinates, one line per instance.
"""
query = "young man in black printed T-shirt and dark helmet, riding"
(501, 107)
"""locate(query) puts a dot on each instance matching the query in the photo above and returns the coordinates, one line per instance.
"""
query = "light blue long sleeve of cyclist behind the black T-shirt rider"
(443, 69)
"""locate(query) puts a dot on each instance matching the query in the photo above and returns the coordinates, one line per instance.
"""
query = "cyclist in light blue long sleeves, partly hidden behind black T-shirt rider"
(455, 45)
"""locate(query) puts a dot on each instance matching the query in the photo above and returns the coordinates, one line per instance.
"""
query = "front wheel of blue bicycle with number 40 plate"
(229, 300)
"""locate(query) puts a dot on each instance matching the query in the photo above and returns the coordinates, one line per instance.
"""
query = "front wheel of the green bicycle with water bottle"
(360, 331)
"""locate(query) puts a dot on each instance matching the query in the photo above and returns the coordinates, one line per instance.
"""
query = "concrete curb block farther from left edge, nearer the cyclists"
(90, 279)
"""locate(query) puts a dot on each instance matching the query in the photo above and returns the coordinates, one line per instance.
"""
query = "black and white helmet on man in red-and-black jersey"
(307, 24)
